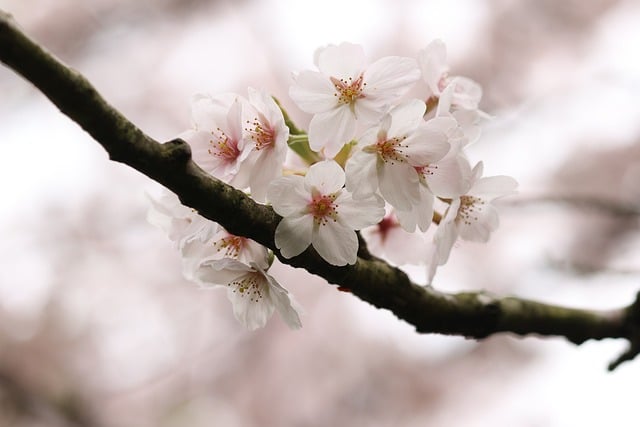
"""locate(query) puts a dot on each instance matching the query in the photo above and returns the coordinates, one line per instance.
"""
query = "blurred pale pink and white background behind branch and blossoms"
(98, 328)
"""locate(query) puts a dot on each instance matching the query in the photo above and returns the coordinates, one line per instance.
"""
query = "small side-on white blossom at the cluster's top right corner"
(464, 92)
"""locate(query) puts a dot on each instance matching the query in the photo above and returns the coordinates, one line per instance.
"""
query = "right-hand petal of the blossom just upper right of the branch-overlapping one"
(425, 146)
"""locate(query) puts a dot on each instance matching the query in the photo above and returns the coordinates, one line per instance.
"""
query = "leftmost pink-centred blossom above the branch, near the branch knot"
(216, 139)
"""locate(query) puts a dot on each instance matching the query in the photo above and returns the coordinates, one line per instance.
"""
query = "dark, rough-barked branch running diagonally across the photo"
(473, 314)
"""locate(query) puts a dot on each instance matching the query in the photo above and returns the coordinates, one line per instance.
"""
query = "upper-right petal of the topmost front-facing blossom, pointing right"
(390, 77)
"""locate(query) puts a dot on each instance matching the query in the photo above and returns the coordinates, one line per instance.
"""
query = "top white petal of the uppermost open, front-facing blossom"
(342, 61)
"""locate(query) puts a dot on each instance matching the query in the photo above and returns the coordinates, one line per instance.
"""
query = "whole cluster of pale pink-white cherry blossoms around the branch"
(382, 157)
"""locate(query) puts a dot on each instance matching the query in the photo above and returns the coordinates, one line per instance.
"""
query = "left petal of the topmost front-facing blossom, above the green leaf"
(313, 92)
